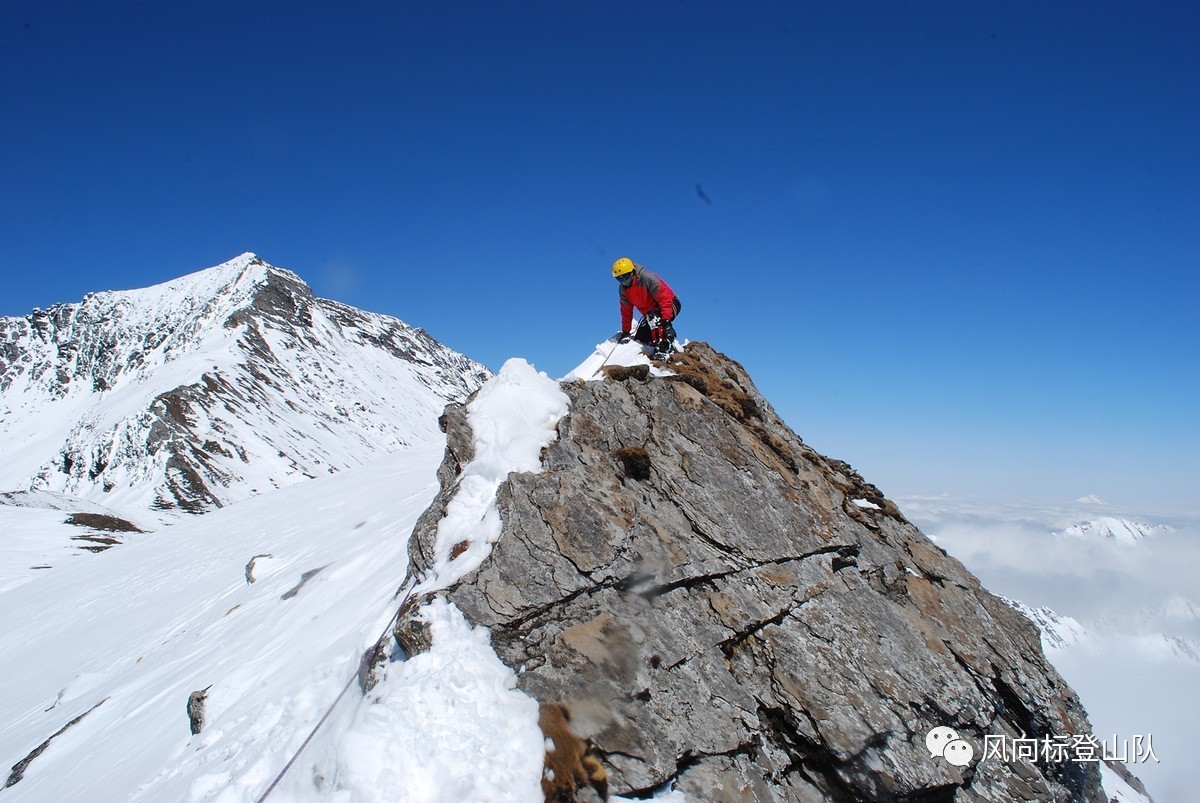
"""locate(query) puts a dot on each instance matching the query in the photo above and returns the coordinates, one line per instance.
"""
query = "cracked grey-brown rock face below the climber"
(755, 621)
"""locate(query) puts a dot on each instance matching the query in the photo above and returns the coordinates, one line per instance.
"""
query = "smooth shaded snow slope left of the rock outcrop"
(145, 625)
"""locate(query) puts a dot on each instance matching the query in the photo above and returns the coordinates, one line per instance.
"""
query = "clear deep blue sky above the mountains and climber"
(956, 243)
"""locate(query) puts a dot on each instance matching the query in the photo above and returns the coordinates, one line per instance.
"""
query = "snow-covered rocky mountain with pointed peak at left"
(212, 388)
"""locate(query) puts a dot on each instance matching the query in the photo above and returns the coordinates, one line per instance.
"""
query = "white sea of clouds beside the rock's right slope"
(1138, 662)
